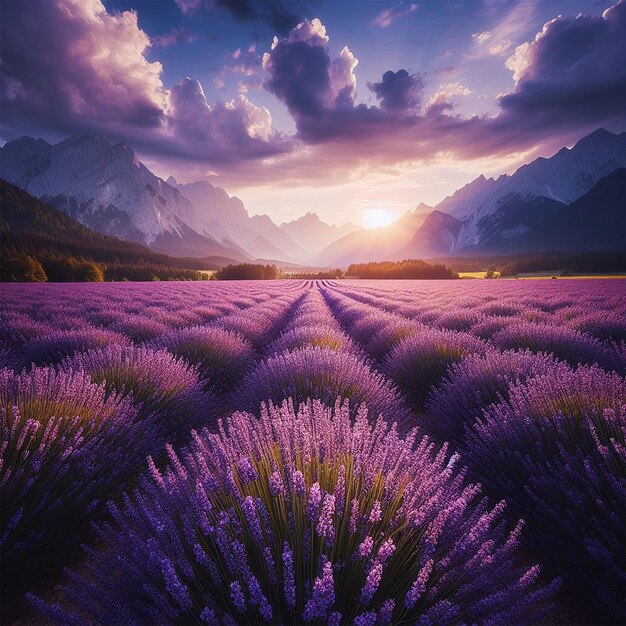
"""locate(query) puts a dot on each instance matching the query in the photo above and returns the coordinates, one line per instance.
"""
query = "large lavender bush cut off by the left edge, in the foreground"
(65, 443)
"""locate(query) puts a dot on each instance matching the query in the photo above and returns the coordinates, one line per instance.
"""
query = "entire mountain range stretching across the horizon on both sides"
(572, 201)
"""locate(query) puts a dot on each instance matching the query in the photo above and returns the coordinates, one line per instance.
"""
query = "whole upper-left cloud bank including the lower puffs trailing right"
(77, 68)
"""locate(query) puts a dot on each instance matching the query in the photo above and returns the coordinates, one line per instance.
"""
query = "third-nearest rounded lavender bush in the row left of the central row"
(221, 356)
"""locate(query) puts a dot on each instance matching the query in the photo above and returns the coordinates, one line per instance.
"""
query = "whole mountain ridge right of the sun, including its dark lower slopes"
(508, 214)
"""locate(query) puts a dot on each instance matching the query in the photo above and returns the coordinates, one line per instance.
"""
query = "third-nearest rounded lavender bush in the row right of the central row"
(422, 359)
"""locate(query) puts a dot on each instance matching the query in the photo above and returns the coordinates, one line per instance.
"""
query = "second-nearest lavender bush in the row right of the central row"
(477, 382)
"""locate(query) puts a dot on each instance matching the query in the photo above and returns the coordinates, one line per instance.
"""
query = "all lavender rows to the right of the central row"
(537, 408)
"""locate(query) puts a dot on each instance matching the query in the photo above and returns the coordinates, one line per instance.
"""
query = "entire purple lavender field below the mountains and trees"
(313, 452)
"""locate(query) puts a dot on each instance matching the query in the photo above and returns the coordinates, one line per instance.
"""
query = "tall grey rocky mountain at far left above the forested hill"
(105, 187)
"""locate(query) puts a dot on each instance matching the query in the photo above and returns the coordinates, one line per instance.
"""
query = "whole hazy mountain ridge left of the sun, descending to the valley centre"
(105, 187)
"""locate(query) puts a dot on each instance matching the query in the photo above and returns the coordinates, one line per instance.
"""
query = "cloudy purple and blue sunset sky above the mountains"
(349, 108)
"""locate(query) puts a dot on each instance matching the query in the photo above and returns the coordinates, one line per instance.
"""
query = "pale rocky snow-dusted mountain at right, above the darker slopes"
(563, 178)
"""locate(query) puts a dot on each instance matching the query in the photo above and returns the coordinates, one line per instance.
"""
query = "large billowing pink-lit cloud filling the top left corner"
(70, 63)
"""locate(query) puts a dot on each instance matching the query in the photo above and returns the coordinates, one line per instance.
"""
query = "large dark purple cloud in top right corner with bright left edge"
(574, 71)
